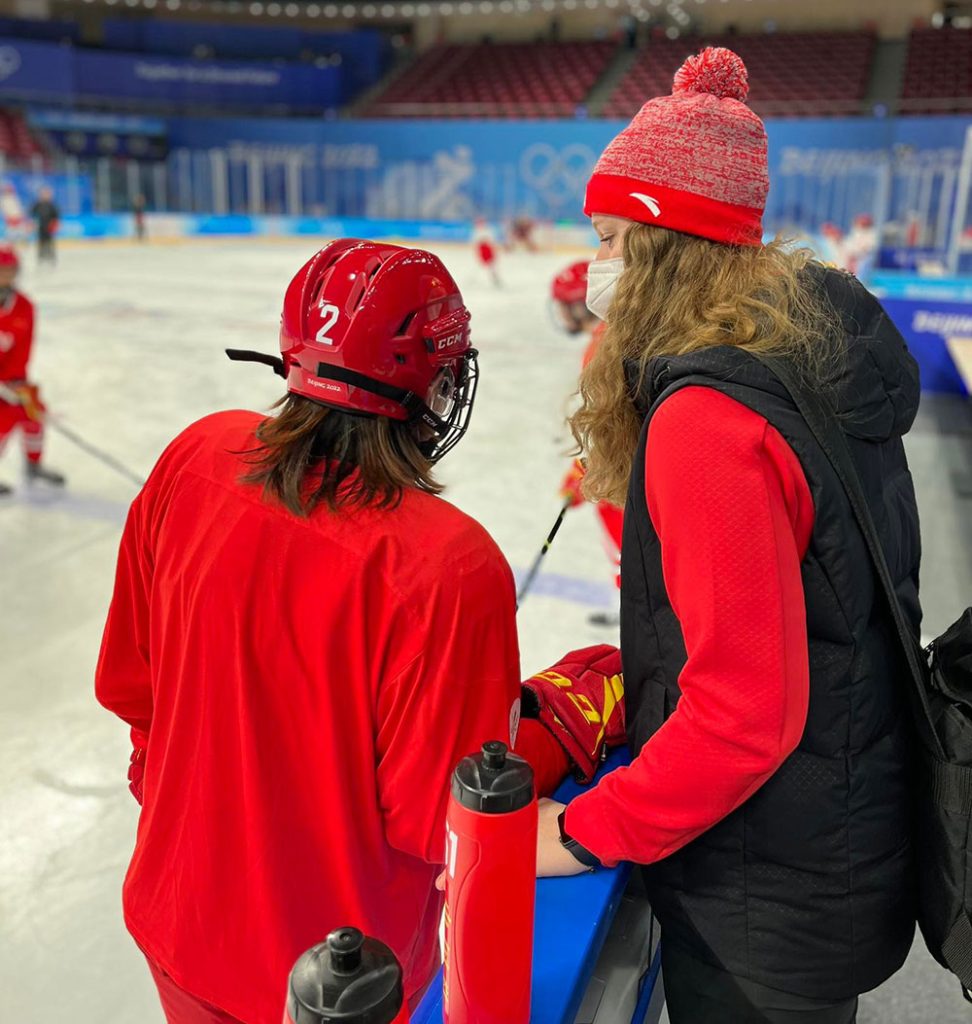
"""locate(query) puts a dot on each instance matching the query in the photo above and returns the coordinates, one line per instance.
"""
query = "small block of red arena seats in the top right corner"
(939, 70)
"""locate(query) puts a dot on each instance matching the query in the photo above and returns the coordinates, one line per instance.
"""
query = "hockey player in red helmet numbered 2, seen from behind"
(303, 666)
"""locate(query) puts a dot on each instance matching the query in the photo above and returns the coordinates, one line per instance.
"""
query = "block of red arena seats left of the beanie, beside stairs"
(544, 80)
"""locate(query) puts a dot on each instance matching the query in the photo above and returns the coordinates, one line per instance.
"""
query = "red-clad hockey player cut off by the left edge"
(21, 405)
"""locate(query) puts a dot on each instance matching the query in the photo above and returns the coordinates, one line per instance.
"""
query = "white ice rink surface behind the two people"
(130, 351)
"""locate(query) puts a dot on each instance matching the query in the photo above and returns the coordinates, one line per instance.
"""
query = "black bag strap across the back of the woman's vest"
(825, 428)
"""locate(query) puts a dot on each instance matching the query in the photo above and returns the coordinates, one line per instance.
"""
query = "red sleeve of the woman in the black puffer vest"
(734, 514)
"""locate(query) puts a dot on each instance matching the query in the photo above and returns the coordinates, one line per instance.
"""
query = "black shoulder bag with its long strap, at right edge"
(943, 702)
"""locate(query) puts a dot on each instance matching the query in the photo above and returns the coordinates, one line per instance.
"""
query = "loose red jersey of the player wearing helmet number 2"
(307, 688)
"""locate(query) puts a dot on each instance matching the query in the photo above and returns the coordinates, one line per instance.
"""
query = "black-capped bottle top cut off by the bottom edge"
(348, 978)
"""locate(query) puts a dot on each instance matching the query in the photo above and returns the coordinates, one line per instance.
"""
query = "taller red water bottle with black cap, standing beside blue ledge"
(491, 878)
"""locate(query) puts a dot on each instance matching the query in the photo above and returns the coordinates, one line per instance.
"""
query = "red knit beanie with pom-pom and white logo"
(695, 161)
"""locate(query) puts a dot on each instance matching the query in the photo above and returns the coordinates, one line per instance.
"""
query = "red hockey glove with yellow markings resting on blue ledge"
(582, 702)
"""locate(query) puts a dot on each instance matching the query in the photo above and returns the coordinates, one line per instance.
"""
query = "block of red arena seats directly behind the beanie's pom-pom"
(800, 74)
